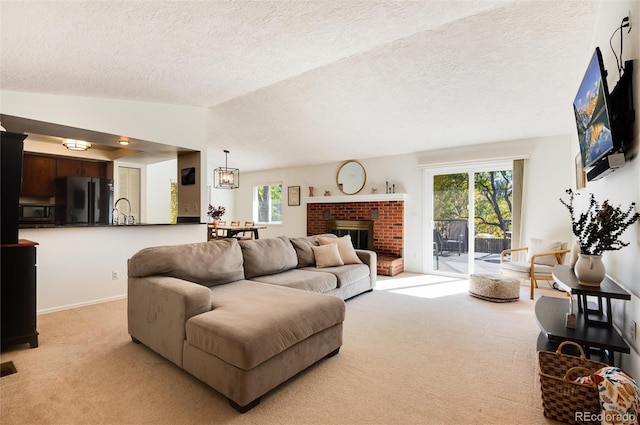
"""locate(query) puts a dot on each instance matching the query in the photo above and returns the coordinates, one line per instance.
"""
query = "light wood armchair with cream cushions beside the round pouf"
(542, 255)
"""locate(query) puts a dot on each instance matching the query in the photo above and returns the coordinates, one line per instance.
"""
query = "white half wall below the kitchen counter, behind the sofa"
(75, 264)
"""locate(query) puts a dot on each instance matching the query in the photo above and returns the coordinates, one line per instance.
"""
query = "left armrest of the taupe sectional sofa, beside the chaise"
(158, 308)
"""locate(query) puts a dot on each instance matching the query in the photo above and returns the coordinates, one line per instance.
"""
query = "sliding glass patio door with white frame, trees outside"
(469, 218)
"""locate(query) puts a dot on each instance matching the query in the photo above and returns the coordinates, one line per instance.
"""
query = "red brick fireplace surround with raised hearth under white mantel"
(387, 217)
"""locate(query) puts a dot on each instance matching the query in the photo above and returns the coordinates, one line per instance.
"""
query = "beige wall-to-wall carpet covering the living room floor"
(415, 352)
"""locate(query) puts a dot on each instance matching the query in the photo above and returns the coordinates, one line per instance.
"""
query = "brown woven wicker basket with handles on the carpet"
(562, 398)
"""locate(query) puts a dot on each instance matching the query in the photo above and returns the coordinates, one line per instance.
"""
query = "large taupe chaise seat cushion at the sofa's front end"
(252, 321)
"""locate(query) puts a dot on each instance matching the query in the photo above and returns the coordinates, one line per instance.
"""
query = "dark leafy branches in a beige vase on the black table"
(598, 229)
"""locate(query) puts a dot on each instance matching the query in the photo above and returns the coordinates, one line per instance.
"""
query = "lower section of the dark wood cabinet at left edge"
(18, 291)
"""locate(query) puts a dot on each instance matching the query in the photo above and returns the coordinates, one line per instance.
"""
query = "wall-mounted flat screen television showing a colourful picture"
(592, 112)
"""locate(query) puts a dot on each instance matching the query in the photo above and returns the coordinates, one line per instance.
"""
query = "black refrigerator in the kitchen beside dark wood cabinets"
(83, 200)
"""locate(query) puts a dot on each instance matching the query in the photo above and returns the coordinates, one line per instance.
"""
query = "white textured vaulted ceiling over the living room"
(307, 82)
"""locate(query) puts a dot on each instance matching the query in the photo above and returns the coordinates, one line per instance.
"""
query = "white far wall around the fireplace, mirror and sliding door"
(549, 168)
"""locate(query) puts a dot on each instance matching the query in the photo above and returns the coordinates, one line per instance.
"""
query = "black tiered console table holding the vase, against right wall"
(594, 330)
